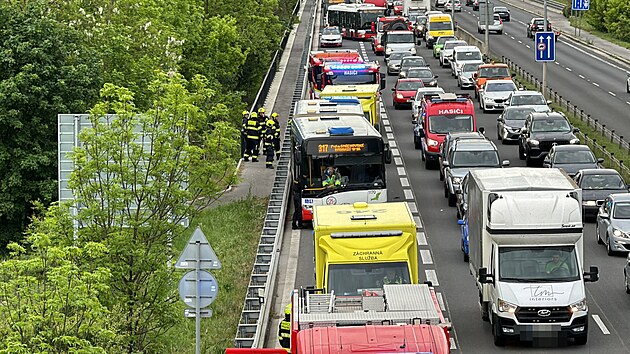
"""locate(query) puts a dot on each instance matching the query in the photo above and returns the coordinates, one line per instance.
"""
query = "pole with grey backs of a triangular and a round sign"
(198, 288)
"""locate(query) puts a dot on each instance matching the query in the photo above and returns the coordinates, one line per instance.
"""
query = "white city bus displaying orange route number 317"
(351, 145)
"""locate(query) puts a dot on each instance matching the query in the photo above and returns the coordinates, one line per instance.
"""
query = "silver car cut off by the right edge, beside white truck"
(613, 223)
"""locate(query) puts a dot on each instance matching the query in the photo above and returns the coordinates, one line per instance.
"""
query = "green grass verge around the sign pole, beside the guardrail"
(233, 231)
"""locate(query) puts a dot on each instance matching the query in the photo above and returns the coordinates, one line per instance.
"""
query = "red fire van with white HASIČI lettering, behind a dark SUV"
(441, 114)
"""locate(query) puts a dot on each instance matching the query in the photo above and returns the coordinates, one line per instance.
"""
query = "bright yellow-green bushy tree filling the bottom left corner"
(50, 290)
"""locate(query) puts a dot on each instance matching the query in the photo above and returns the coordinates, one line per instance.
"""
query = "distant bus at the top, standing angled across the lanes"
(355, 20)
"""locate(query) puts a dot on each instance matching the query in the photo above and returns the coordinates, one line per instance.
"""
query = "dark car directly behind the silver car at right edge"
(597, 184)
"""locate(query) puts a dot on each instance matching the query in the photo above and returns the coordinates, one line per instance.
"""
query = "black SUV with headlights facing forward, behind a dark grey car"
(542, 131)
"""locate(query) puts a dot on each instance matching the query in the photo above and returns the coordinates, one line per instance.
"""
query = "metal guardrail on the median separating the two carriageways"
(599, 148)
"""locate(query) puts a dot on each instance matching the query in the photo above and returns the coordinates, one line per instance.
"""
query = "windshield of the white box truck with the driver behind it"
(538, 264)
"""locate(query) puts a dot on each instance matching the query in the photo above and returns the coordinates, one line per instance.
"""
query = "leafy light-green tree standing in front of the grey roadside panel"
(137, 176)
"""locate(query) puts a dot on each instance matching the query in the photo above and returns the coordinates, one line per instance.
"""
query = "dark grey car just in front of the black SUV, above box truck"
(571, 158)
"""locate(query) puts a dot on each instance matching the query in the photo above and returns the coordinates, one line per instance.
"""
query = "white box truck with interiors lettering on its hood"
(526, 253)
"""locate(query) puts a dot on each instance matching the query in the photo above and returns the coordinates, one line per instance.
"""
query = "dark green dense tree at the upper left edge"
(44, 70)
